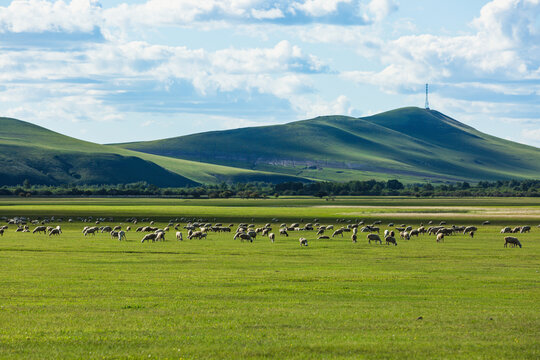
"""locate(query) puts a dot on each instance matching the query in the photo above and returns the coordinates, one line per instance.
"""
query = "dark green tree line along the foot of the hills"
(328, 190)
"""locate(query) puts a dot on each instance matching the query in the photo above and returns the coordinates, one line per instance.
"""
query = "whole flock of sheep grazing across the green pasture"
(249, 232)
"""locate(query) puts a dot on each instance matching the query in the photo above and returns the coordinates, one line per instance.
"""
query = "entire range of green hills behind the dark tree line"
(409, 144)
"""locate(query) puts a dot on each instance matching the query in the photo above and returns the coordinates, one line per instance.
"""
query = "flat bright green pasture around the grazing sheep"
(73, 296)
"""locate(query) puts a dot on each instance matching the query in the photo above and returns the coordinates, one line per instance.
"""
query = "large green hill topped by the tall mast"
(410, 143)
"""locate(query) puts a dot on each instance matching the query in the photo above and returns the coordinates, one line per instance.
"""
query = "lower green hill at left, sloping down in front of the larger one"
(42, 156)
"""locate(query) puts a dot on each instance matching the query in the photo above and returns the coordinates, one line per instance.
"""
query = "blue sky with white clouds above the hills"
(118, 71)
